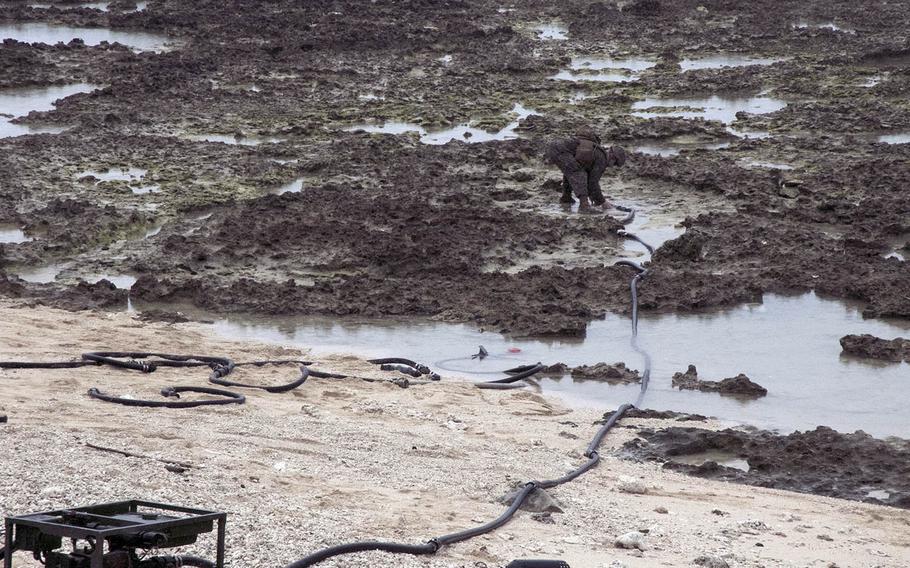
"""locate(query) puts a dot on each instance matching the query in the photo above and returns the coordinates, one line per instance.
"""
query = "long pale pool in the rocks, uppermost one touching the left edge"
(38, 32)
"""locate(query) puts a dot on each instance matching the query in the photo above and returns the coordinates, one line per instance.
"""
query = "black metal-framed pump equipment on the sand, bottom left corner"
(117, 519)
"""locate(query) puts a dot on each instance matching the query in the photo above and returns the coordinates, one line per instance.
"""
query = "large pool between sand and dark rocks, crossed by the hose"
(790, 345)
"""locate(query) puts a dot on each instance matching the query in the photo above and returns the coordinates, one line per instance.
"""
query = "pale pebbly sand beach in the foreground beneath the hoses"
(340, 460)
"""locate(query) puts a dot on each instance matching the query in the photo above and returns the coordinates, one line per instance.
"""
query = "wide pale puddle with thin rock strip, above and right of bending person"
(723, 109)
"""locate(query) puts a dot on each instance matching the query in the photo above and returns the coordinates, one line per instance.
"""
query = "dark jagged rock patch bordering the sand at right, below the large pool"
(822, 462)
